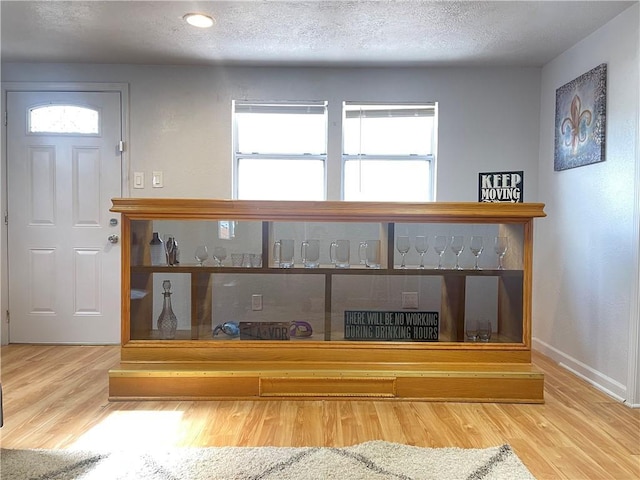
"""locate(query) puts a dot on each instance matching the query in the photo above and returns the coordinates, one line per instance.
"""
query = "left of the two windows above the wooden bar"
(280, 150)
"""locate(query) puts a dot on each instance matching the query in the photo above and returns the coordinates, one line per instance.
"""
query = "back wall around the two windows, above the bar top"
(181, 116)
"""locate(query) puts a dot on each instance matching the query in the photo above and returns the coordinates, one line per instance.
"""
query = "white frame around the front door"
(123, 89)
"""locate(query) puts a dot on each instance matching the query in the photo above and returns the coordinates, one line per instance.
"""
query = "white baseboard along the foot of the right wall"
(602, 382)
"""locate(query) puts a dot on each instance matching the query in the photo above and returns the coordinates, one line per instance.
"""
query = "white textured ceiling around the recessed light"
(268, 32)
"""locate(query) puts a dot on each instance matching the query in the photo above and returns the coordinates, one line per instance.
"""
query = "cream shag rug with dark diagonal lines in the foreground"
(367, 461)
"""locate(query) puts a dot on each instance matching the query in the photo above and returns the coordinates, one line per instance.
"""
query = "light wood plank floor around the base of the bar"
(56, 397)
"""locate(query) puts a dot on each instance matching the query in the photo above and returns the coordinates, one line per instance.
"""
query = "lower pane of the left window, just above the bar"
(265, 179)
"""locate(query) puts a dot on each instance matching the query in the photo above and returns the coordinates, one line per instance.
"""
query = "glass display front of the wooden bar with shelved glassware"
(399, 304)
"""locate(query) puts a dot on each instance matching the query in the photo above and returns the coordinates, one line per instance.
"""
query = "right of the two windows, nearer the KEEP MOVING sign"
(388, 152)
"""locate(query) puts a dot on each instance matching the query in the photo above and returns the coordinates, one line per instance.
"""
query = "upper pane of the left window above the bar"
(287, 133)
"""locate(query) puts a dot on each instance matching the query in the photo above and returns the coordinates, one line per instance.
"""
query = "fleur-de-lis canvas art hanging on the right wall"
(580, 120)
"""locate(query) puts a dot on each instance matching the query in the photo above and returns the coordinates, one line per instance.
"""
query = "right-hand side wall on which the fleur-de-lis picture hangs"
(585, 296)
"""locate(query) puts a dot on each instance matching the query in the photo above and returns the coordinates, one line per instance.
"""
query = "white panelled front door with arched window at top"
(63, 168)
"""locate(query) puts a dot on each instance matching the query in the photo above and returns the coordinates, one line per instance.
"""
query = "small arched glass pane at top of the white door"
(64, 119)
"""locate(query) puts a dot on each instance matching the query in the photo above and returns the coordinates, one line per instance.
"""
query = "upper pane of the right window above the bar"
(388, 135)
